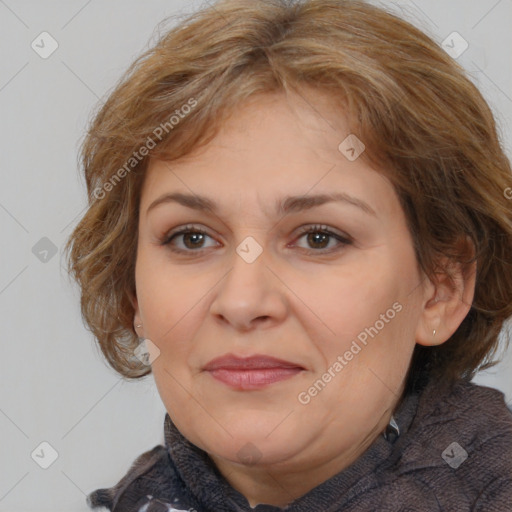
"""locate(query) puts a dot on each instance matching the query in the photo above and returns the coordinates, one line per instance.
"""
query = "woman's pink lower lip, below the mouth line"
(253, 379)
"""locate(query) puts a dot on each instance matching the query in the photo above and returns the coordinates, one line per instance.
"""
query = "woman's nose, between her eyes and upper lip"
(250, 295)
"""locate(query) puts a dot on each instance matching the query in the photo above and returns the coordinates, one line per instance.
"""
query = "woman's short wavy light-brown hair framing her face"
(424, 124)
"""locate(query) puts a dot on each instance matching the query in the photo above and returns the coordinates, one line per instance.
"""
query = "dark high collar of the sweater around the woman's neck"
(213, 492)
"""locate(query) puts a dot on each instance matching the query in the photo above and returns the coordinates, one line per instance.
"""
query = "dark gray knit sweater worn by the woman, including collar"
(453, 453)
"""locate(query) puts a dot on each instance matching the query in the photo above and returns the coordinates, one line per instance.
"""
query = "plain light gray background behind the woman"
(55, 386)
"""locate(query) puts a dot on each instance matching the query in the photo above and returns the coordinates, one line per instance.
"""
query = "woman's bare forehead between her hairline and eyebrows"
(271, 146)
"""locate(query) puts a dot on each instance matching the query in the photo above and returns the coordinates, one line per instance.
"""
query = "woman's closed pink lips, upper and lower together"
(250, 373)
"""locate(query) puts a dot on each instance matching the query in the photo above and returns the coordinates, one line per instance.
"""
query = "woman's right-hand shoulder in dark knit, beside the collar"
(459, 447)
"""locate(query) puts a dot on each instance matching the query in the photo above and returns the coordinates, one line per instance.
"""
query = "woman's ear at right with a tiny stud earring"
(447, 301)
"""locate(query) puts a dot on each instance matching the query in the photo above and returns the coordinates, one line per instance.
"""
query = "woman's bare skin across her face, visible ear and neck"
(304, 299)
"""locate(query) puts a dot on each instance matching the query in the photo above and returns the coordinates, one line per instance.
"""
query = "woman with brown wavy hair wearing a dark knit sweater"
(299, 208)
